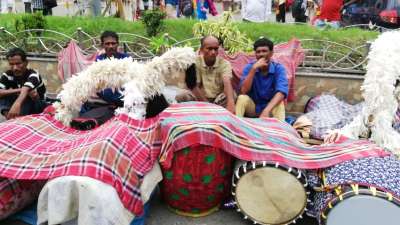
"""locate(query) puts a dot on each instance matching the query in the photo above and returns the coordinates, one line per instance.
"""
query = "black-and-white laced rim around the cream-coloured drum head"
(250, 166)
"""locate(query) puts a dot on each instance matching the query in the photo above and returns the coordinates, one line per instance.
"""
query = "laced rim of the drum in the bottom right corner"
(363, 189)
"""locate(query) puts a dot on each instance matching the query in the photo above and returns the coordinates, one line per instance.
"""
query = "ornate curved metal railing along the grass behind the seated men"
(320, 55)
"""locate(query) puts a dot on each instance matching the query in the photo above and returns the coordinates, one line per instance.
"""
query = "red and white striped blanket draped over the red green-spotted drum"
(183, 125)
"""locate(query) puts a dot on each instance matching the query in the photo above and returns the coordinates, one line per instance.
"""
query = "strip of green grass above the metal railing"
(181, 29)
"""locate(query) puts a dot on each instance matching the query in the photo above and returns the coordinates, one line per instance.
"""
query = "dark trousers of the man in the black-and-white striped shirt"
(28, 107)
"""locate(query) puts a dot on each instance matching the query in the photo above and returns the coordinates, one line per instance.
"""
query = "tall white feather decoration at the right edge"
(378, 90)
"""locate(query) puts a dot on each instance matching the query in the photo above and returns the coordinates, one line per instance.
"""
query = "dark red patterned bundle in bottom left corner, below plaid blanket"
(17, 194)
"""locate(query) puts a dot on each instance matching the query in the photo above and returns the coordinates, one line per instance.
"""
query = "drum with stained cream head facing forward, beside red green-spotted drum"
(269, 193)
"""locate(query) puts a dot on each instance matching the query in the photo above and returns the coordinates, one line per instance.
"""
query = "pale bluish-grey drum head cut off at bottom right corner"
(364, 210)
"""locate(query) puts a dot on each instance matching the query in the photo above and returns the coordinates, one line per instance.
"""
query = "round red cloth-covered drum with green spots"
(198, 180)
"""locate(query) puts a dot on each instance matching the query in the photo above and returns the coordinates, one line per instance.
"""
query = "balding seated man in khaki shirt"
(213, 77)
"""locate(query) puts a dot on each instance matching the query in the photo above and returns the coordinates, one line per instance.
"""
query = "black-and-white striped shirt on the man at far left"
(30, 79)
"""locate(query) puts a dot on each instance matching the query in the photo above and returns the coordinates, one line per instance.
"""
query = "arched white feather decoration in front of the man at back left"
(139, 80)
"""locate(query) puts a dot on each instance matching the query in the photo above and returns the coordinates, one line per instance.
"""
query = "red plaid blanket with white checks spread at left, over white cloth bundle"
(118, 153)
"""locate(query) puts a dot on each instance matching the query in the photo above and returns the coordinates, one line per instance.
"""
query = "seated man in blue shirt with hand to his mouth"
(263, 85)
